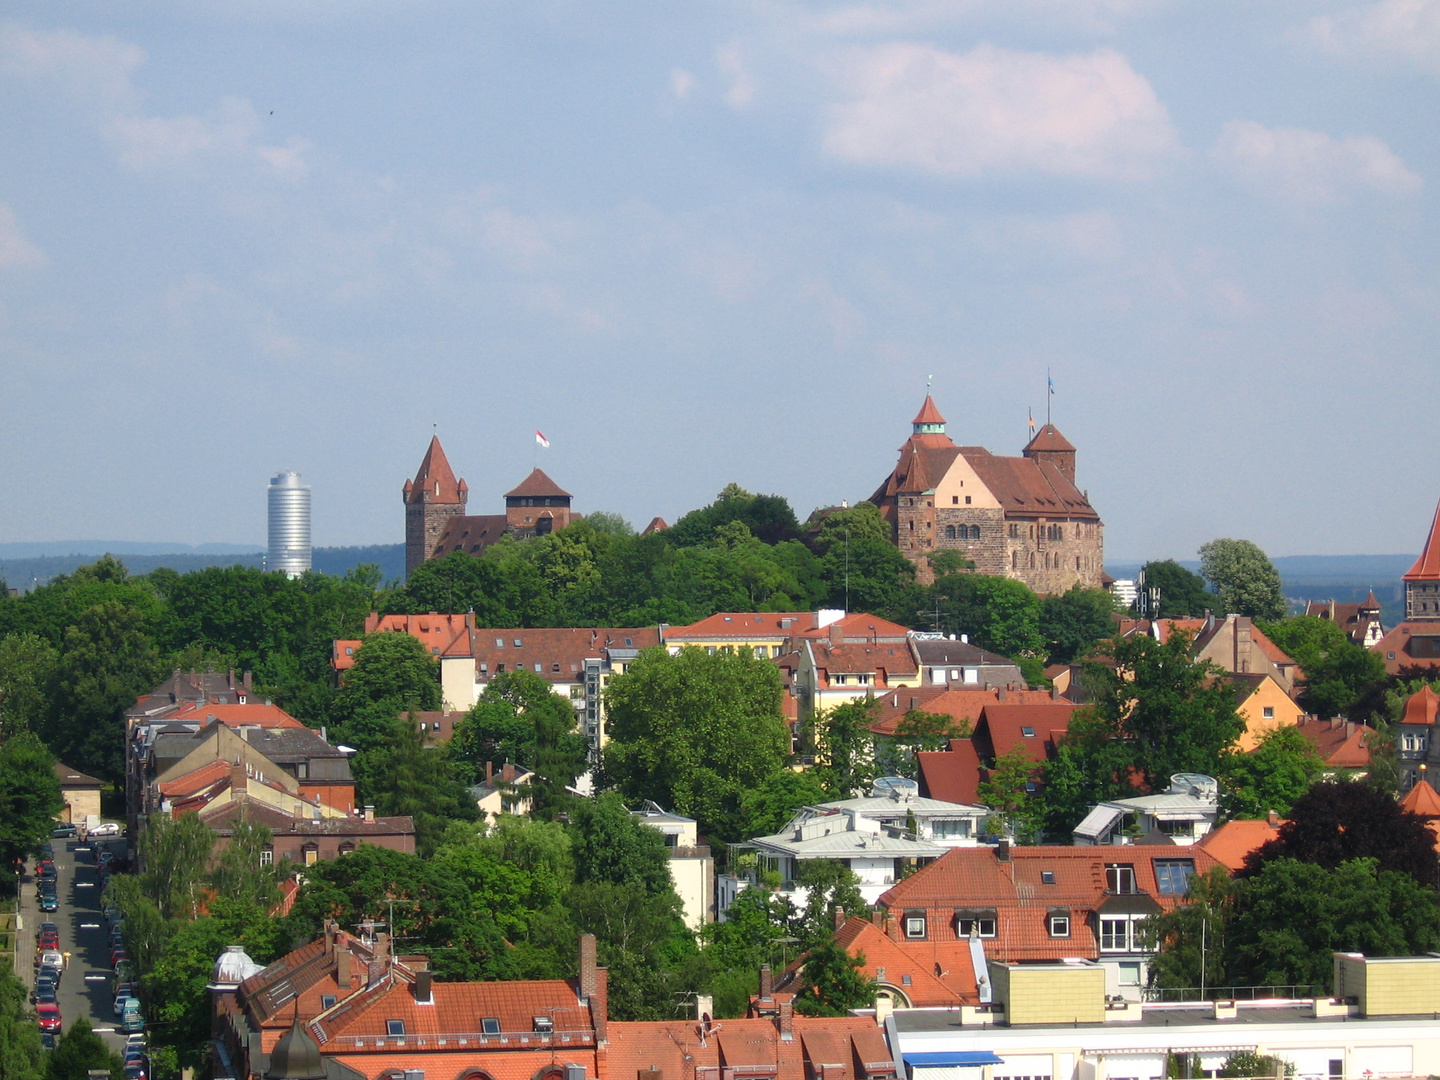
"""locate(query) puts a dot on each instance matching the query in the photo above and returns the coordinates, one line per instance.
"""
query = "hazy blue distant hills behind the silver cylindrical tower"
(31, 572)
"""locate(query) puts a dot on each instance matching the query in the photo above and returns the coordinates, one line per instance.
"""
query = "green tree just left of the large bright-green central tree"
(521, 719)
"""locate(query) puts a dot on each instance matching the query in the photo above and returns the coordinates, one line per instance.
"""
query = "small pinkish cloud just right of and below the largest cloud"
(1310, 169)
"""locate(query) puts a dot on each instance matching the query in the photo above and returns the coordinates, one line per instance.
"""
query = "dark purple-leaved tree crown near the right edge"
(1341, 822)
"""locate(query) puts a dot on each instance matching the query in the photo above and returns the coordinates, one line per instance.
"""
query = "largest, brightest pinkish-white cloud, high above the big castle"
(1000, 112)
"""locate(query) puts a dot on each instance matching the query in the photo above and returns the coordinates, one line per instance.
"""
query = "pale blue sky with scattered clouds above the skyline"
(708, 243)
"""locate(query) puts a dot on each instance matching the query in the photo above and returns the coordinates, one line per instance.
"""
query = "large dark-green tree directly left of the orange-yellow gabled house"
(1170, 712)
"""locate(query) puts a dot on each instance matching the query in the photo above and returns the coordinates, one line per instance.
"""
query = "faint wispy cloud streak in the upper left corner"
(100, 74)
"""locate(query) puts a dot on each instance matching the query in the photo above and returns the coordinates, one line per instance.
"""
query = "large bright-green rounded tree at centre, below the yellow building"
(695, 731)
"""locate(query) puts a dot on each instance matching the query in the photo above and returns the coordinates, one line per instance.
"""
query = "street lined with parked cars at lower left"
(87, 986)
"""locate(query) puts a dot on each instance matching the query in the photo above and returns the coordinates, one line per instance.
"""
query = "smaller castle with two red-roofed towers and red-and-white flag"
(437, 523)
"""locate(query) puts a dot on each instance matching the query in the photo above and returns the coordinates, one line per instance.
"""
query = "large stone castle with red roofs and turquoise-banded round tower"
(1013, 518)
